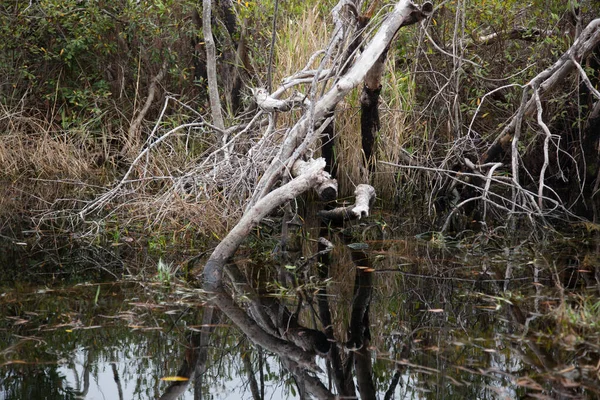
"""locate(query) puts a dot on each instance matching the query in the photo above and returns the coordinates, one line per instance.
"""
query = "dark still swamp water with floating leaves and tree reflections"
(354, 312)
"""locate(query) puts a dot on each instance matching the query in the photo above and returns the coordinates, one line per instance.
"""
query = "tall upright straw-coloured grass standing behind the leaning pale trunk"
(293, 50)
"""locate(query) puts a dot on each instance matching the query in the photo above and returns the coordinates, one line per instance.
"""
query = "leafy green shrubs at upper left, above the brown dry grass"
(77, 59)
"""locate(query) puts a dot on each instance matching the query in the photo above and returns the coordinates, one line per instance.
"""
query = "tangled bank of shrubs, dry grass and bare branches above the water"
(478, 112)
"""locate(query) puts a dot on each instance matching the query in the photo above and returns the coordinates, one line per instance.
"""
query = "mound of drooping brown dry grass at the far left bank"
(42, 170)
